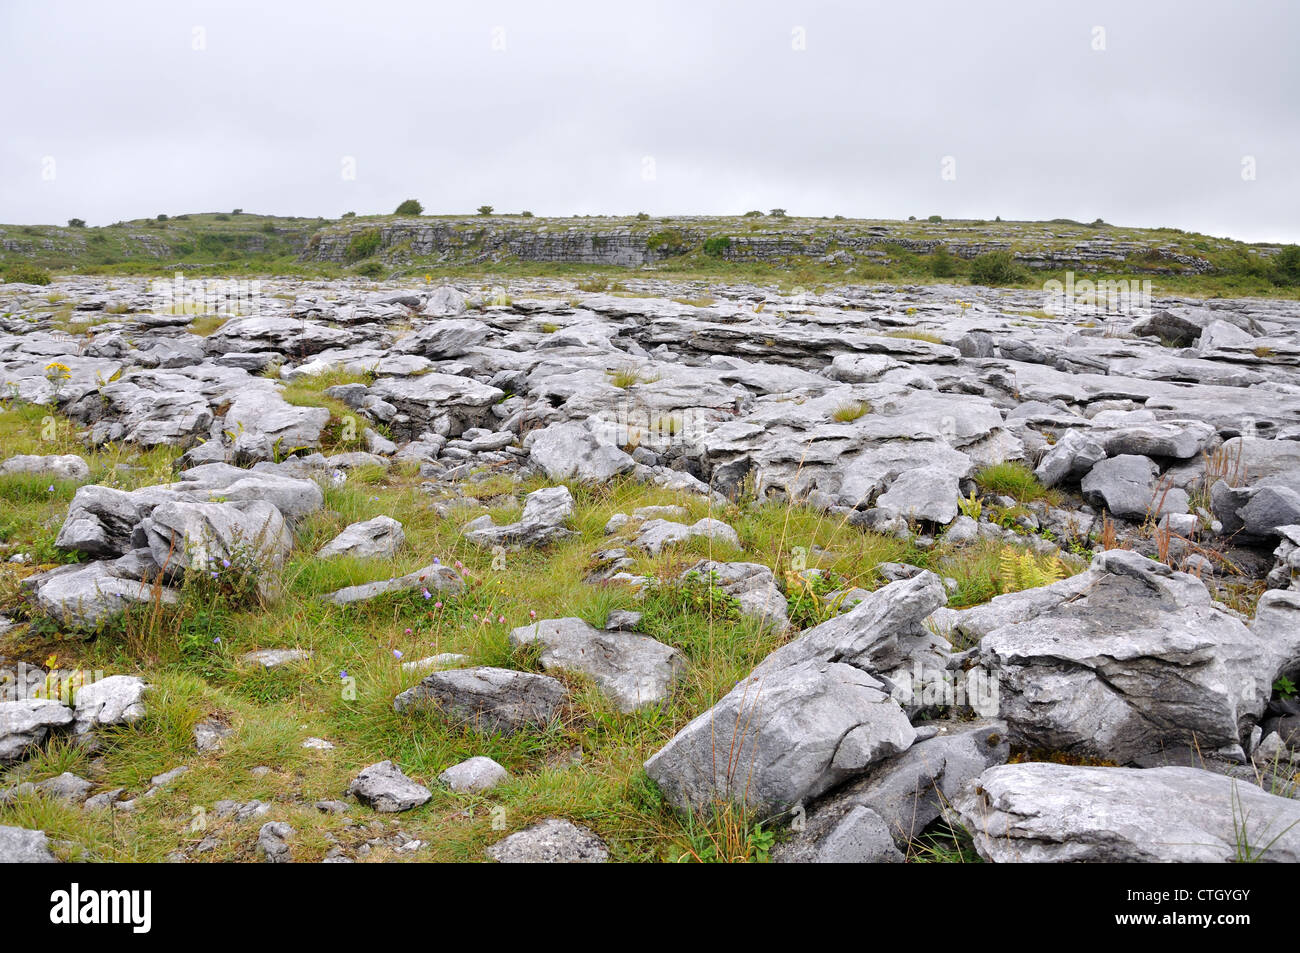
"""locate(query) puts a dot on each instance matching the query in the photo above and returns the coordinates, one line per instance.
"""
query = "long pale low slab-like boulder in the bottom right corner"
(1060, 813)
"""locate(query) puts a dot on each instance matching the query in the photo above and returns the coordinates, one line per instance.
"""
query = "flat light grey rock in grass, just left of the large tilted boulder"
(634, 672)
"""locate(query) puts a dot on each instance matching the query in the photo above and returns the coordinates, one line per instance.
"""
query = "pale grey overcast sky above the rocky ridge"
(1139, 112)
